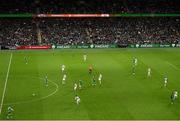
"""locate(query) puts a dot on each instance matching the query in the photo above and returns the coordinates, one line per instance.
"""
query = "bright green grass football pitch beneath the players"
(121, 95)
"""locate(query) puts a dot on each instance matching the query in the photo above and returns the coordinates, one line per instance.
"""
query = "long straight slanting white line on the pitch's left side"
(4, 91)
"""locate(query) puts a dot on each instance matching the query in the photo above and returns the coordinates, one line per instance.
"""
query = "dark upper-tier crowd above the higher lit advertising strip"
(89, 6)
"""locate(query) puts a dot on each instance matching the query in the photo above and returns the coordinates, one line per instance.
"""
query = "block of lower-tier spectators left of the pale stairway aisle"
(17, 32)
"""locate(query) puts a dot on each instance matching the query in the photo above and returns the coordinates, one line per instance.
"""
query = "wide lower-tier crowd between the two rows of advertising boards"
(76, 31)
